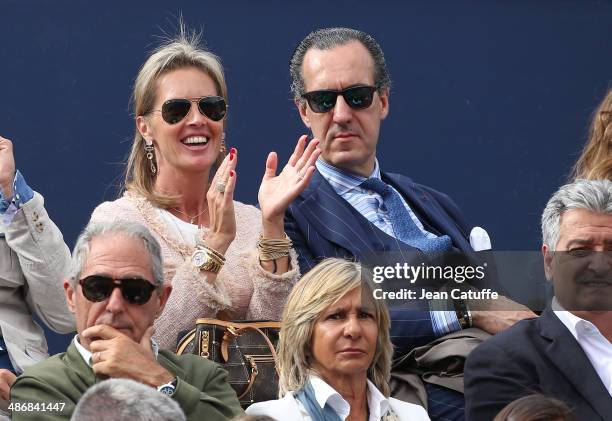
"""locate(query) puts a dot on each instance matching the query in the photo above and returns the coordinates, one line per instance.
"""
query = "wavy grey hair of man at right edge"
(591, 195)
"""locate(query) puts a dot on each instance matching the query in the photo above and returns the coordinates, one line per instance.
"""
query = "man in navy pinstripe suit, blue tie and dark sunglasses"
(341, 88)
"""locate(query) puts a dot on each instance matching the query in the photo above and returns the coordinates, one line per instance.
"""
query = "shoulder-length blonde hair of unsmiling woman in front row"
(323, 286)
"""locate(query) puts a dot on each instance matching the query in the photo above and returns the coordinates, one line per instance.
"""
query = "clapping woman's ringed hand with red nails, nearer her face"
(220, 198)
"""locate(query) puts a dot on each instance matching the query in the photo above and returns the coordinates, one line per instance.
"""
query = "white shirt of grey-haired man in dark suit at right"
(596, 347)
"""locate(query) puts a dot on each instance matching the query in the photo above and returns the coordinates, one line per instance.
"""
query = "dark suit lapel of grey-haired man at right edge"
(567, 355)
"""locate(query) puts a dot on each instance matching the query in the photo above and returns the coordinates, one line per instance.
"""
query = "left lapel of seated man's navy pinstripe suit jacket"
(337, 221)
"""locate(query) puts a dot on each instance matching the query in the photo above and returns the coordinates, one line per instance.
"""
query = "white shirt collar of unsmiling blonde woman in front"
(378, 405)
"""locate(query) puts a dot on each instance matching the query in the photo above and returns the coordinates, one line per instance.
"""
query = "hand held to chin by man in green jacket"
(116, 355)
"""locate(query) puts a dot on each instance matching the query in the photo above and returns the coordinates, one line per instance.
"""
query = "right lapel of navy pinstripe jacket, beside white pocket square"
(426, 207)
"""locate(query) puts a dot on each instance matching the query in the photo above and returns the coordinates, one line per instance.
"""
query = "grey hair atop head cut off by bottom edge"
(124, 399)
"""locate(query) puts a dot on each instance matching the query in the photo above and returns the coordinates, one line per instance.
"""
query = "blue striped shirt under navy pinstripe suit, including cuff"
(371, 205)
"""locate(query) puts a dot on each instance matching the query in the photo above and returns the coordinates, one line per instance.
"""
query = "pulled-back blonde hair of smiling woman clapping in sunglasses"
(181, 52)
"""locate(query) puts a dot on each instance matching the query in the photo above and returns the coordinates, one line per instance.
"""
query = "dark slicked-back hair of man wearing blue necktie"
(328, 38)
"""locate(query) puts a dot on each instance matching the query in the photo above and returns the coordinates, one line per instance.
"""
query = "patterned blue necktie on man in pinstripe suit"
(404, 227)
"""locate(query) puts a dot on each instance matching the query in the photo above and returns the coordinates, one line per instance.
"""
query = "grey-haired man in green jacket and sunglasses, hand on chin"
(116, 290)
